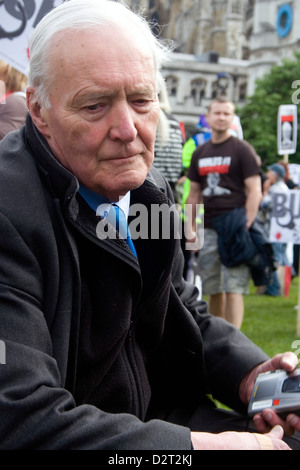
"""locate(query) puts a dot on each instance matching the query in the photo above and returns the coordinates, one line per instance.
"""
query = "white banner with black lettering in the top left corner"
(18, 18)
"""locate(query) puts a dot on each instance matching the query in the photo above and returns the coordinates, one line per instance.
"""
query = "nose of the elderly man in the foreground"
(123, 123)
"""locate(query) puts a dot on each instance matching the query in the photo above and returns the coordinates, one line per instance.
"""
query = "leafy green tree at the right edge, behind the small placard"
(281, 85)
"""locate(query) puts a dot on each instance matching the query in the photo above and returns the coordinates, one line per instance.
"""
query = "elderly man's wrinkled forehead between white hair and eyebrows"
(94, 61)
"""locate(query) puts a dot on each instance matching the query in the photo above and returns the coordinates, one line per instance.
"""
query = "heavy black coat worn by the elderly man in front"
(153, 345)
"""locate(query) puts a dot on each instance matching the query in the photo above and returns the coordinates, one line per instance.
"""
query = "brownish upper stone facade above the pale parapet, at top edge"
(199, 26)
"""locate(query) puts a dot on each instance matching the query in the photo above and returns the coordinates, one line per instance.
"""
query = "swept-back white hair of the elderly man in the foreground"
(85, 15)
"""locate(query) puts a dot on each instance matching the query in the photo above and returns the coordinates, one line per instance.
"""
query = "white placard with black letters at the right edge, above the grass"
(285, 218)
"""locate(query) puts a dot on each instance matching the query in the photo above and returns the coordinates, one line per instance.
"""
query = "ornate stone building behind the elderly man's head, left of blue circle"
(209, 38)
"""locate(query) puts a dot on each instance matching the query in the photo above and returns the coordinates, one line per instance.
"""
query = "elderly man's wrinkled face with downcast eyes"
(104, 109)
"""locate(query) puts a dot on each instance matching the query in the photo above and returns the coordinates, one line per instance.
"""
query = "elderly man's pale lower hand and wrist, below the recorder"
(240, 440)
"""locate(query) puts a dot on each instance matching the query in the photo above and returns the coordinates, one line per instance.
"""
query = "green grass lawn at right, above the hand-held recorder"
(271, 322)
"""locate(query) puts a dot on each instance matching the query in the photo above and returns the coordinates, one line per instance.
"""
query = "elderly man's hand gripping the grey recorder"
(266, 420)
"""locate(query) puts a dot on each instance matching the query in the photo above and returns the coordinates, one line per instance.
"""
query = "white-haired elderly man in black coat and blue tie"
(106, 348)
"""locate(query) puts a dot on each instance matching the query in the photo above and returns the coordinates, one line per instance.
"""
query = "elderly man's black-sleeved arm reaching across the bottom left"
(37, 411)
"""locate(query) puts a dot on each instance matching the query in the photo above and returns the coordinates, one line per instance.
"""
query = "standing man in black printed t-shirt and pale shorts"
(224, 175)
